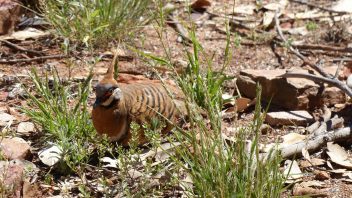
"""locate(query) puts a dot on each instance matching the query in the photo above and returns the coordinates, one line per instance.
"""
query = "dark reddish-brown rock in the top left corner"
(10, 12)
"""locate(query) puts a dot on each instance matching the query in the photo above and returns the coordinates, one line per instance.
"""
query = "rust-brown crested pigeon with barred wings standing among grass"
(117, 105)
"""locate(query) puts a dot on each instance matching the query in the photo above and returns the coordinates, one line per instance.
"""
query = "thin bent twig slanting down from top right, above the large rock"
(296, 52)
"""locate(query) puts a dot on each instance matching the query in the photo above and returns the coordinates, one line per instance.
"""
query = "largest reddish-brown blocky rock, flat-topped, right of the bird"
(290, 93)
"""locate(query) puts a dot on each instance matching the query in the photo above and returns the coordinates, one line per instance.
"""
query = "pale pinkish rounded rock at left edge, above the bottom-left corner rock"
(14, 148)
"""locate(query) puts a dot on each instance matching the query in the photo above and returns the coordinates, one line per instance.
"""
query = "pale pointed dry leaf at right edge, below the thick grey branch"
(339, 155)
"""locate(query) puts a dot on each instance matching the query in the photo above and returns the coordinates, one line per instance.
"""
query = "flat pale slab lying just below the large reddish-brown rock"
(300, 118)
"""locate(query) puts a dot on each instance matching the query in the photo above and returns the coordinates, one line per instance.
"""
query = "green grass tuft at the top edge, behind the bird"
(97, 22)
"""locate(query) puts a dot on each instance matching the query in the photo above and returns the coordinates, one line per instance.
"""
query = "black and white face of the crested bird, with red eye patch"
(106, 94)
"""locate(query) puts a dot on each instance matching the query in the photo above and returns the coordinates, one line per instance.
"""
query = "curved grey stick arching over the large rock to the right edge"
(315, 78)
